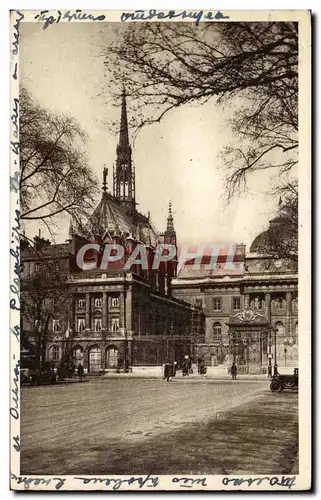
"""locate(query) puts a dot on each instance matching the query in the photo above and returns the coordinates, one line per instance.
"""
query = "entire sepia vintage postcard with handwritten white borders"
(160, 250)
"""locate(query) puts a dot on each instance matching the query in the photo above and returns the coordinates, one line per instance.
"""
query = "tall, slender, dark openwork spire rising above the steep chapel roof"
(124, 176)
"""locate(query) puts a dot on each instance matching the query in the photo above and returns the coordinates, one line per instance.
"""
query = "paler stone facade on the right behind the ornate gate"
(251, 310)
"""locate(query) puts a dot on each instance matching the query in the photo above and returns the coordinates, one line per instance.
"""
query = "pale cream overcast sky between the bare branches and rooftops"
(175, 160)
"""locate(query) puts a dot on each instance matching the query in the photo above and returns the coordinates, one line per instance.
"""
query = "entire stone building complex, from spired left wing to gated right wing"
(116, 319)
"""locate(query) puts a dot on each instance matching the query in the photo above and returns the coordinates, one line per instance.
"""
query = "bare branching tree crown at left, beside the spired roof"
(54, 177)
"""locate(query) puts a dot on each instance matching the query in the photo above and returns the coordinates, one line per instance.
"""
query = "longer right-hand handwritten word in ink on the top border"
(153, 14)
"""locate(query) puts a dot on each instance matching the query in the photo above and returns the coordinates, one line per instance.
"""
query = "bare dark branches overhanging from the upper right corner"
(167, 65)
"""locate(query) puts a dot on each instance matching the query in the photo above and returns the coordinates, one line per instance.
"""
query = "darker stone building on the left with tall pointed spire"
(109, 319)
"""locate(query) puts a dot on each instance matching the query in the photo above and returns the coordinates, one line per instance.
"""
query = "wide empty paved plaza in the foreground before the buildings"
(135, 426)
